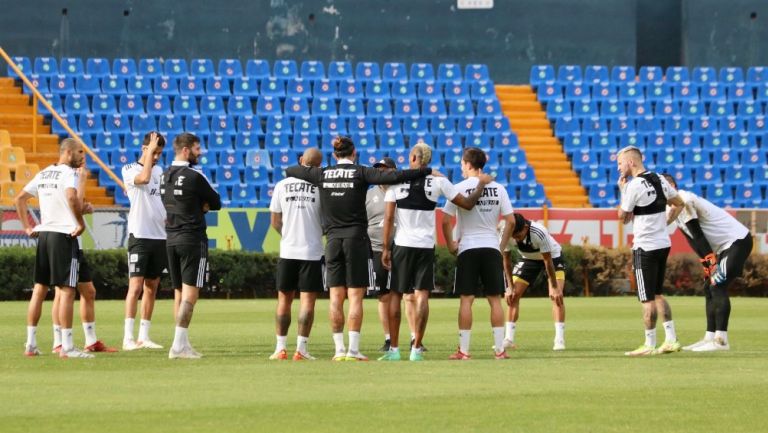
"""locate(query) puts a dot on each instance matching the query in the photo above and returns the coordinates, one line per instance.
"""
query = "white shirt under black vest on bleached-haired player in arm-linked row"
(416, 228)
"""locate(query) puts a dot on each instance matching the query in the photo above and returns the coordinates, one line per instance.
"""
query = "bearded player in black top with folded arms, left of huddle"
(187, 195)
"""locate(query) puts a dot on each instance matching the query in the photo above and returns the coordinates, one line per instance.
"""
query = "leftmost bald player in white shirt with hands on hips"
(58, 257)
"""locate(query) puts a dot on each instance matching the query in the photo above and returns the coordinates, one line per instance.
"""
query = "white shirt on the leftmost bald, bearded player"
(50, 187)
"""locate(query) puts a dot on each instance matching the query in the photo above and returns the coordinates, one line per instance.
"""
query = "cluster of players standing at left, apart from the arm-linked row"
(167, 229)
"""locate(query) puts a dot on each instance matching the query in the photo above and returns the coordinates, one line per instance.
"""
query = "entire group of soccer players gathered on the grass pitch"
(167, 230)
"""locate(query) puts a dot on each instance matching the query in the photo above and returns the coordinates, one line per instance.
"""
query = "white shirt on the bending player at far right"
(720, 228)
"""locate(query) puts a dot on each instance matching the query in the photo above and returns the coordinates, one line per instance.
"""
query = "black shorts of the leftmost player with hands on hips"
(57, 261)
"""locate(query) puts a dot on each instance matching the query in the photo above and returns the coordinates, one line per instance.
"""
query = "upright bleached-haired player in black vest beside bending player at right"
(643, 202)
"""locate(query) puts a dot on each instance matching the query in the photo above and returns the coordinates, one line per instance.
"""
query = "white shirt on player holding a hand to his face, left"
(146, 218)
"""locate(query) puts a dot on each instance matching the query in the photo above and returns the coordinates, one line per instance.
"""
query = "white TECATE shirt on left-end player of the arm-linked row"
(299, 202)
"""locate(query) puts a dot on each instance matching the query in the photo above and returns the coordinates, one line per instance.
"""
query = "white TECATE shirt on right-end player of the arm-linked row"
(476, 228)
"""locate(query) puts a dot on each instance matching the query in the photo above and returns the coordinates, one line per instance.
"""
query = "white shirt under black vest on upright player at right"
(650, 230)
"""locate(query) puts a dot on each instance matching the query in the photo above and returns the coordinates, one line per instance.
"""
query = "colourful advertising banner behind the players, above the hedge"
(250, 230)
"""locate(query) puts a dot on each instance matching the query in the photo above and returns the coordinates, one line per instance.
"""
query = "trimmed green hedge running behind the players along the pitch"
(236, 274)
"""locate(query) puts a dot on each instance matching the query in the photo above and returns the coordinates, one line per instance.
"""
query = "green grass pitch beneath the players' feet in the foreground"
(591, 387)
